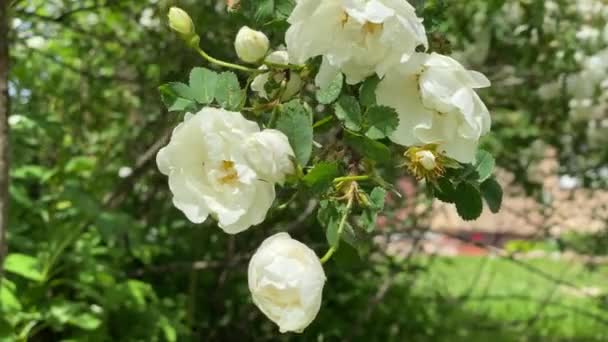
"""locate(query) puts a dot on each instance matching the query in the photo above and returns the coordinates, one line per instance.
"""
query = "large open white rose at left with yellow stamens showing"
(221, 164)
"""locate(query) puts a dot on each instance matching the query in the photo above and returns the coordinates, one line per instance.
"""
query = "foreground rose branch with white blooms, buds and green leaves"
(221, 164)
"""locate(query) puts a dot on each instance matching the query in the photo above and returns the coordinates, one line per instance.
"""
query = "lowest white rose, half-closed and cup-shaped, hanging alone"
(286, 281)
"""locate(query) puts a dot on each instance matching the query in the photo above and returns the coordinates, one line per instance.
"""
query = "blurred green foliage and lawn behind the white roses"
(97, 251)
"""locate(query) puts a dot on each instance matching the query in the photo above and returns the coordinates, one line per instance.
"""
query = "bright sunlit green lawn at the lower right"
(498, 300)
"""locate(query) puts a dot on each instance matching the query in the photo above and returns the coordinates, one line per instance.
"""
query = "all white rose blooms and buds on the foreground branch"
(222, 165)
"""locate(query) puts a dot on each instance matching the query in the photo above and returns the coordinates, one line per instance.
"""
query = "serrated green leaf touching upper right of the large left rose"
(295, 120)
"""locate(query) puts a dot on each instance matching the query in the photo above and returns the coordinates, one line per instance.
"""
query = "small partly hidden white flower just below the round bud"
(292, 86)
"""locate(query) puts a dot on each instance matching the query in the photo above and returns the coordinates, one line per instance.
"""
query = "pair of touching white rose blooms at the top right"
(433, 94)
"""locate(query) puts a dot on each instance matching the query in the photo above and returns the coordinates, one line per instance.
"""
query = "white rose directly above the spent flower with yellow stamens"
(436, 102)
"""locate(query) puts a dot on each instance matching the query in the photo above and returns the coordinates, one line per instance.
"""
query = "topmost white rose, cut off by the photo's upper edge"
(356, 37)
